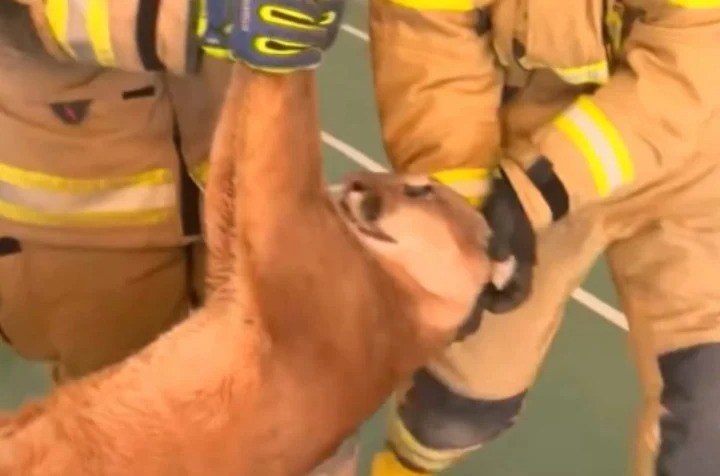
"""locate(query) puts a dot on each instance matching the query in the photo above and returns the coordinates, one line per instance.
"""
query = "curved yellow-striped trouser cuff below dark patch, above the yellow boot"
(405, 444)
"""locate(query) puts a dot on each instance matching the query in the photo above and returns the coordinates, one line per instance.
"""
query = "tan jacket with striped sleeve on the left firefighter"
(106, 145)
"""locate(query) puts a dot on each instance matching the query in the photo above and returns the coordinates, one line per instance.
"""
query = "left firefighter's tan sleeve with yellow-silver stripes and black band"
(133, 35)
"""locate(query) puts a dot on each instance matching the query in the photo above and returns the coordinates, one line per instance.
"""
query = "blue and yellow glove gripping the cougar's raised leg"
(271, 35)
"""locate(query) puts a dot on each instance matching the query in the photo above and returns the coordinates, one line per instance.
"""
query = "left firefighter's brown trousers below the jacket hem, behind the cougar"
(85, 309)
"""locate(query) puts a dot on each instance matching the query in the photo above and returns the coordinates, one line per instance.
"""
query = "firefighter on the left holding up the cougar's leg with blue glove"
(107, 110)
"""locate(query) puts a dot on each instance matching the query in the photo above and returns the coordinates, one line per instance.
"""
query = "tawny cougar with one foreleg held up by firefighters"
(309, 324)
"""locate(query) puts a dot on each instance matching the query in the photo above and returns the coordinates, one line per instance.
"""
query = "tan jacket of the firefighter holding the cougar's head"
(648, 71)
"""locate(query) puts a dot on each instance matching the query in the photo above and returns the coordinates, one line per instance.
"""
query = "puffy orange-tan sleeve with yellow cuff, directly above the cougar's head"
(437, 90)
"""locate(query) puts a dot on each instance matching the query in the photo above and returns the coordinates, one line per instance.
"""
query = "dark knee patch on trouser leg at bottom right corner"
(690, 425)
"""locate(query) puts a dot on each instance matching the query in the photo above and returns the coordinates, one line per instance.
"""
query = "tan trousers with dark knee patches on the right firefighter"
(662, 242)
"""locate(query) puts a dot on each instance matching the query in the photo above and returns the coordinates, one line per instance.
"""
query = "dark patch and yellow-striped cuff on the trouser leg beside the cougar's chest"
(433, 426)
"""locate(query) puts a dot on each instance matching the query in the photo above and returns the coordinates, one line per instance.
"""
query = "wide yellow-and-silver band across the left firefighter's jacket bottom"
(37, 198)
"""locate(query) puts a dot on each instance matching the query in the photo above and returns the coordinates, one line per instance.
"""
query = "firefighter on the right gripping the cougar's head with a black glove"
(600, 120)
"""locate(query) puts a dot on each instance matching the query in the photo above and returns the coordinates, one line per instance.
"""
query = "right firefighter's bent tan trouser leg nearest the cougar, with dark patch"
(474, 391)
